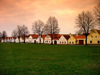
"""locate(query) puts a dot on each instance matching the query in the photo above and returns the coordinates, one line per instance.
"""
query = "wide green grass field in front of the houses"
(35, 59)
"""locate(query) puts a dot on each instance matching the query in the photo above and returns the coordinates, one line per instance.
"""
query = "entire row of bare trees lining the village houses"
(85, 21)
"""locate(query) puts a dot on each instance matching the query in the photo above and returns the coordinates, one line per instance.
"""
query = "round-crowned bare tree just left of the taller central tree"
(38, 28)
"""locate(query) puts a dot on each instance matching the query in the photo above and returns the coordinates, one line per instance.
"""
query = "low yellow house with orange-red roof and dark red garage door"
(80, 40)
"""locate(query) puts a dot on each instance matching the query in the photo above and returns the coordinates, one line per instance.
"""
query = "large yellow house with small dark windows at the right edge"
(94, 37)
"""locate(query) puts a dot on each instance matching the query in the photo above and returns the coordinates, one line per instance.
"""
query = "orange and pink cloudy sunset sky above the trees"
(25, 12)
